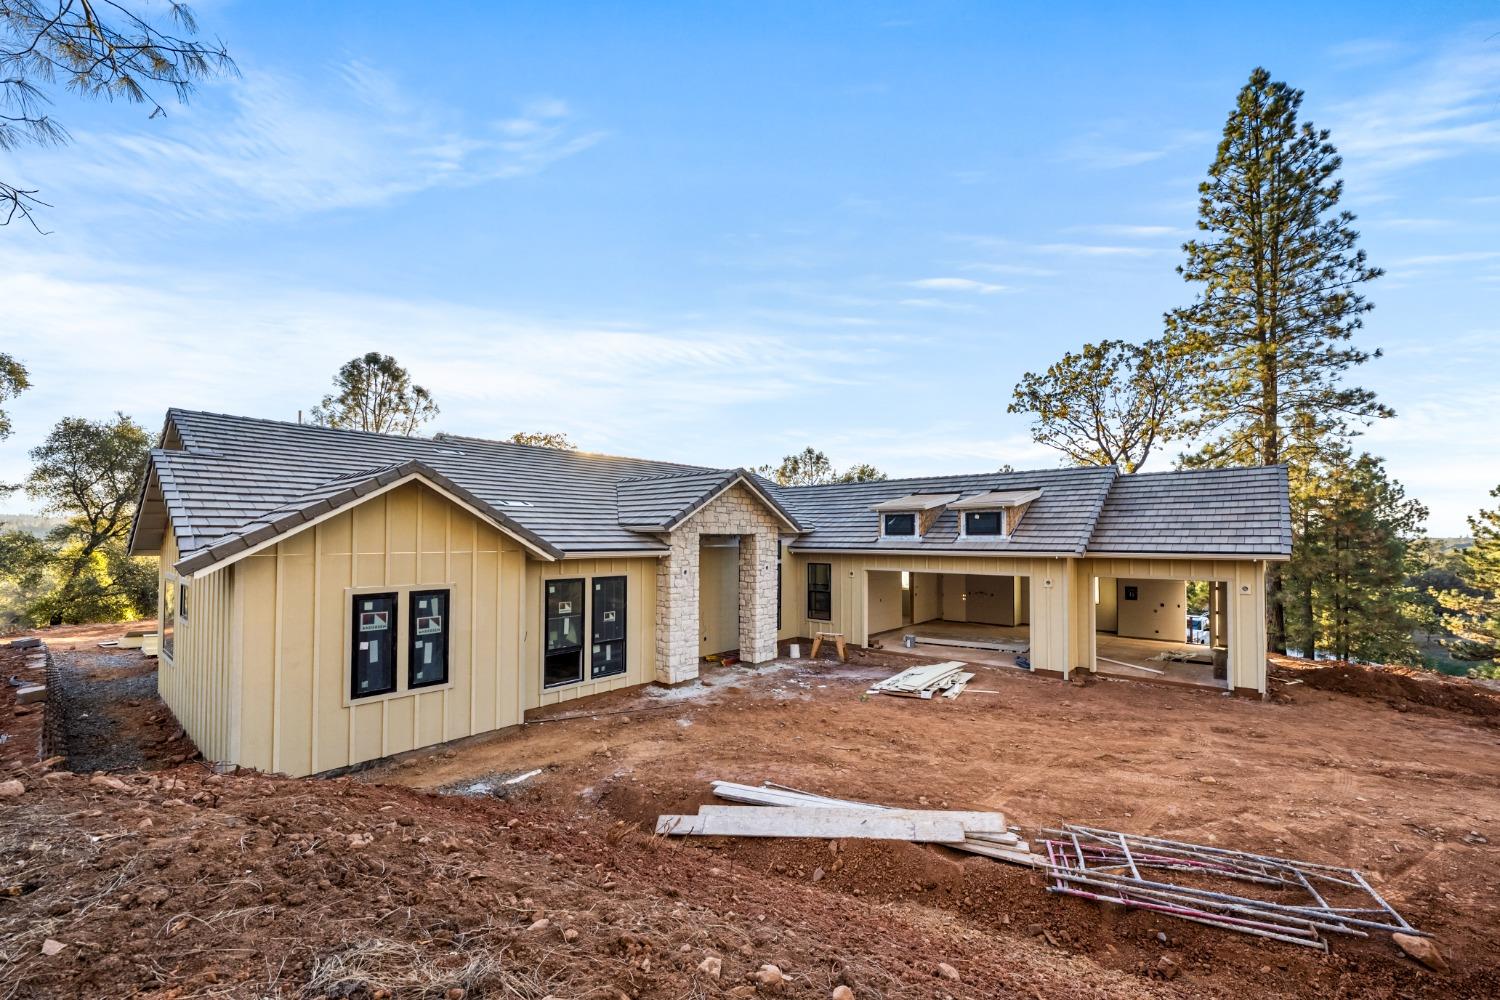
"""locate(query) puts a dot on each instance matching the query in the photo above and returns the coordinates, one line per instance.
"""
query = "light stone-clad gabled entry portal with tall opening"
(736, 512)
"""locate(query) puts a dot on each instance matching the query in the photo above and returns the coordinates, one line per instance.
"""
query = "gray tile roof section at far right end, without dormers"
(1202, 512)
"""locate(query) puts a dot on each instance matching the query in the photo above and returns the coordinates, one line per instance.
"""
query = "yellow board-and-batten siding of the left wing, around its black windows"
(266, 651)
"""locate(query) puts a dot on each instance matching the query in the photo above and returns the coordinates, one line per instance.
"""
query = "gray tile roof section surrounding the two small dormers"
(1058, 522)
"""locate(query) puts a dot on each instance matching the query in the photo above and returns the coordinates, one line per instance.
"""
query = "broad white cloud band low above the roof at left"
(142, 340)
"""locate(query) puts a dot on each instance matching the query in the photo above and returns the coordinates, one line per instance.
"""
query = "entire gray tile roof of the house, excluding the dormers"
(238, 481)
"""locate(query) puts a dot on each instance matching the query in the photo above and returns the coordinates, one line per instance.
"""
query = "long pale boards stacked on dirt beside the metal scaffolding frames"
(776, 812)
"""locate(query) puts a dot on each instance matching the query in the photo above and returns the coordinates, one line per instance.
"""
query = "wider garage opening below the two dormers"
(979, 618)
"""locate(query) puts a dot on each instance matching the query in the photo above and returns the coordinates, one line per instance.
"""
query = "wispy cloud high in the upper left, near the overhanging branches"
(289, 148)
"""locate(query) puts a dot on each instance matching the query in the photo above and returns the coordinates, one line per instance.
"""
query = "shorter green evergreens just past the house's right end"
(1348, 591)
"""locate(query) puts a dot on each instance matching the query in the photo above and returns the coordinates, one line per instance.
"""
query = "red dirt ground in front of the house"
(191, 885)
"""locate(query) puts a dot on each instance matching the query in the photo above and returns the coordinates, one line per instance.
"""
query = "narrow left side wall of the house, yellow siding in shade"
(196, 680)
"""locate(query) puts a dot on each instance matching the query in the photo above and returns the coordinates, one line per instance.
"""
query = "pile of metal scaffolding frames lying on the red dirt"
(1112, 867)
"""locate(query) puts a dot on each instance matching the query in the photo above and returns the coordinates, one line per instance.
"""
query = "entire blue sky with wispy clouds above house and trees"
(719, 233)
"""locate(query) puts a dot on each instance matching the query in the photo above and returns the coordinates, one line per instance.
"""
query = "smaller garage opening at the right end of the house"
(1163, 630)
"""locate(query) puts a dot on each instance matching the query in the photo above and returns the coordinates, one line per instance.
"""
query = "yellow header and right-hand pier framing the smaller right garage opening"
(1246, 585)
